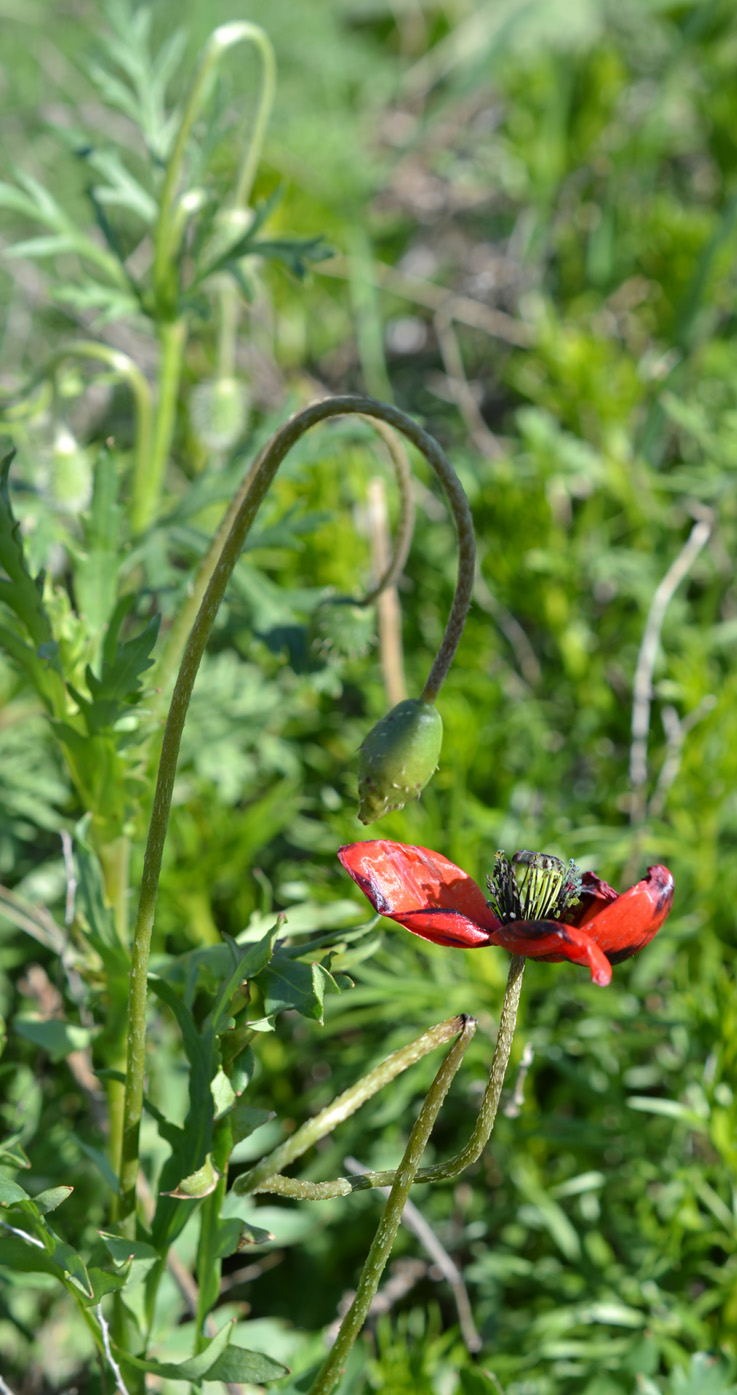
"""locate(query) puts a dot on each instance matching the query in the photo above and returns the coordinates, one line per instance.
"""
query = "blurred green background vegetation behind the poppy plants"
(533, 207)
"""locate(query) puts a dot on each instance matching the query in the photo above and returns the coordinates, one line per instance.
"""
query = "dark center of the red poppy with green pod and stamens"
(534, 887)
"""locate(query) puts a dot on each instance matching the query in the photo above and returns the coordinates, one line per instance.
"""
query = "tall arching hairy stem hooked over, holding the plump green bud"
(255, 489)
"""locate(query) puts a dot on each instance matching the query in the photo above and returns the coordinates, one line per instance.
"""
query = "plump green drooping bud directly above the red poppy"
(399, 758)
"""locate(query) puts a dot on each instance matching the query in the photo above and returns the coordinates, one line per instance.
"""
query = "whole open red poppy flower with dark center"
(539, 907)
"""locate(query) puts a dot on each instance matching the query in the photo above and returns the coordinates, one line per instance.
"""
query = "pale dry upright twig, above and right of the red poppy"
(643, 691)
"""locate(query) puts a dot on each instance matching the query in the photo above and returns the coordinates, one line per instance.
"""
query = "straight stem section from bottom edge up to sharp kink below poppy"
(382, 1248)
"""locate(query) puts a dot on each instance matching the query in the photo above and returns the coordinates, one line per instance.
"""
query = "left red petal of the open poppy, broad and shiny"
(422, 891)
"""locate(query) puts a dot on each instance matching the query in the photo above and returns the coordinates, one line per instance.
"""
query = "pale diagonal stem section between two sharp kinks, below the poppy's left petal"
(347, 1106)
